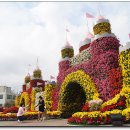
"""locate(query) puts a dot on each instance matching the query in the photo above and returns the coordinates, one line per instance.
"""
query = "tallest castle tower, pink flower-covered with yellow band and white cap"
(105, 51)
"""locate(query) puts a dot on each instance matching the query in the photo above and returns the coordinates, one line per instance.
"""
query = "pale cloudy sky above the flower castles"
(37, 29)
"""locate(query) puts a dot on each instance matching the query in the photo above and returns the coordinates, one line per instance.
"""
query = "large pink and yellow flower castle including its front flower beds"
(99, 72)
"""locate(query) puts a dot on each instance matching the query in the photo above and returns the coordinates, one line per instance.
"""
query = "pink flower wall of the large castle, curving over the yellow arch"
(105, 55)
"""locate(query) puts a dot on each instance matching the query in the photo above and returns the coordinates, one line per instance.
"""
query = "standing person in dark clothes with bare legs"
(41, 108)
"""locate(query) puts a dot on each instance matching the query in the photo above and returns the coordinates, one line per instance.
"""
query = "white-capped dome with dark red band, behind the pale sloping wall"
(86, 42)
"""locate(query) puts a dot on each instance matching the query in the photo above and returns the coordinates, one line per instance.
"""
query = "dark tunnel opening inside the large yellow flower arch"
(74, 99)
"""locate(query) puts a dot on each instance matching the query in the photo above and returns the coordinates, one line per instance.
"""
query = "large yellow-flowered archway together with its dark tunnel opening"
(84, 84)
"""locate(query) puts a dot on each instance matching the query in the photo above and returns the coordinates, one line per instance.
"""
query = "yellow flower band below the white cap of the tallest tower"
(101, 28)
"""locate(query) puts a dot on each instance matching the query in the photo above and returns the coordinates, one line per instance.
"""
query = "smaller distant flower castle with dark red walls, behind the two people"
(32, 84)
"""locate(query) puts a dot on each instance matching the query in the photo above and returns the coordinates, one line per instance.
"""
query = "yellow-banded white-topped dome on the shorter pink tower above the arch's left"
(67, 51)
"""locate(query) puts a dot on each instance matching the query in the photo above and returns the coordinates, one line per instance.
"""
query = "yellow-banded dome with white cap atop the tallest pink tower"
(102, 26)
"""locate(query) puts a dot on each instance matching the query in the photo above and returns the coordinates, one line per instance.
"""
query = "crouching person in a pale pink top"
(21, 111)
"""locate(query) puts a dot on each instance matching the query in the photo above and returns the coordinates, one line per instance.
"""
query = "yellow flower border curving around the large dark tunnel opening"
(86, 83)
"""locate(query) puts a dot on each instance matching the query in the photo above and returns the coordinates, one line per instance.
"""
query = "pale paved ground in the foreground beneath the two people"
(51, 122)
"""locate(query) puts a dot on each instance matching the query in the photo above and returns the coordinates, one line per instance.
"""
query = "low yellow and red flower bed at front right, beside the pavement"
(97, 117)
